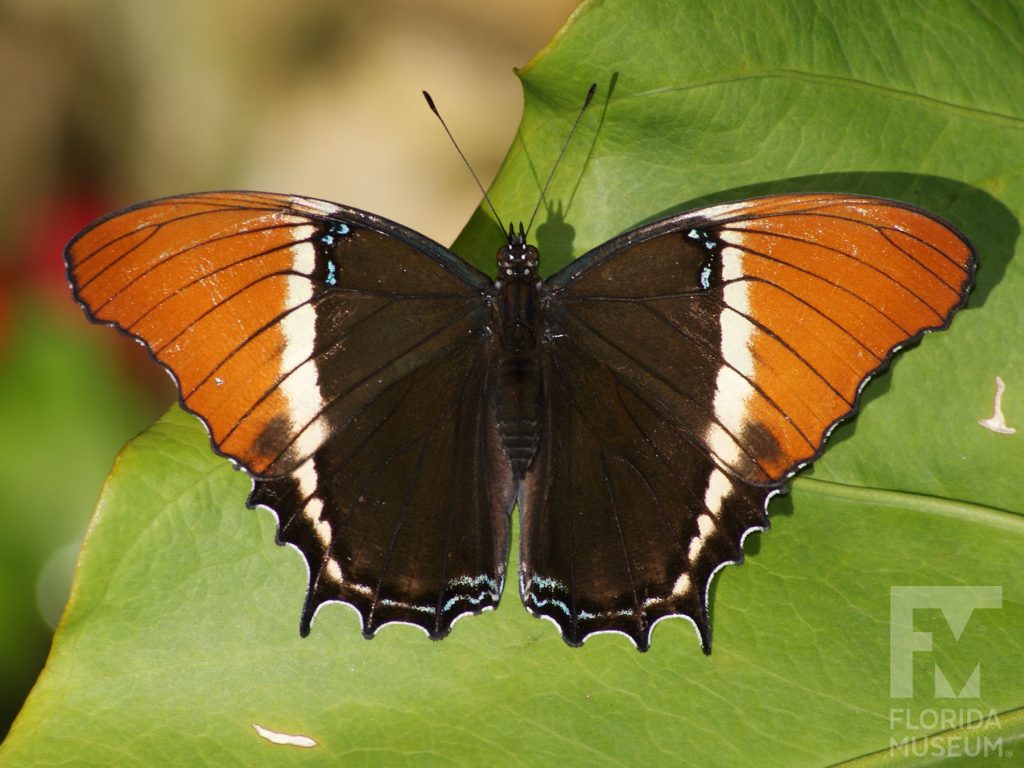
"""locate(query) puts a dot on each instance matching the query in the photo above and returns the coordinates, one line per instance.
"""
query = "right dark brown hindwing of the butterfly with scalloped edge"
(636, 517)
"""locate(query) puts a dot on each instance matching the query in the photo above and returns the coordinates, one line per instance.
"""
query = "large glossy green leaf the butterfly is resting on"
(183, 629)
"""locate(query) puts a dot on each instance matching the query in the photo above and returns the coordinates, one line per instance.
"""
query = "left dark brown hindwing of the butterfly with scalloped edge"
(402, 514)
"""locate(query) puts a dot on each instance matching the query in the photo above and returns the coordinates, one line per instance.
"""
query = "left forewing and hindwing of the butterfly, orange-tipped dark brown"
(343, 361)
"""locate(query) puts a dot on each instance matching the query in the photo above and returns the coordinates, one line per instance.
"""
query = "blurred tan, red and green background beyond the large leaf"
(107, 103)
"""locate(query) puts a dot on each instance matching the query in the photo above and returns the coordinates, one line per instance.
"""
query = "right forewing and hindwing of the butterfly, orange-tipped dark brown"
(694, 365)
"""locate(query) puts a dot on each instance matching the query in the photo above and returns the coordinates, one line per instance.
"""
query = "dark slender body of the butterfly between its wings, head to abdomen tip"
(519, 381)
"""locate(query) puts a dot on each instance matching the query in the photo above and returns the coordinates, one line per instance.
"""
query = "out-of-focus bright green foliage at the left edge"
(65, 409)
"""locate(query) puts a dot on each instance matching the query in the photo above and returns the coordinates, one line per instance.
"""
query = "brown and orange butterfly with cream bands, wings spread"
(393, 404)
